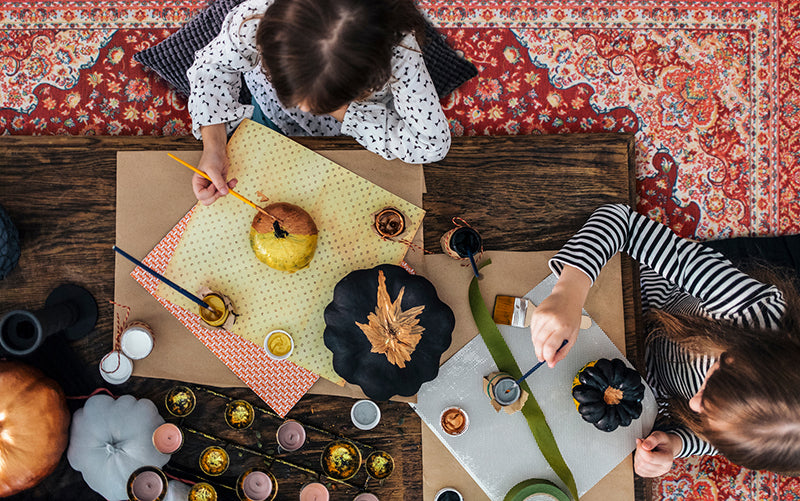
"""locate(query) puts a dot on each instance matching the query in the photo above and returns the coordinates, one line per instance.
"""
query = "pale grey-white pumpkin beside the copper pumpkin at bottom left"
(109, 439)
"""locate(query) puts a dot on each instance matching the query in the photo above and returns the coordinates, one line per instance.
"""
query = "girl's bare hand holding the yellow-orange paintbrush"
(214, 163)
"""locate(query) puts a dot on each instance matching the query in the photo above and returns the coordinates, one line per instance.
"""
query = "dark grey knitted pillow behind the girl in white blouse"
(175, 54)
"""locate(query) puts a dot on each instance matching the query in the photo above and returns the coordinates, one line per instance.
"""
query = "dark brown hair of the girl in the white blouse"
(328, 53)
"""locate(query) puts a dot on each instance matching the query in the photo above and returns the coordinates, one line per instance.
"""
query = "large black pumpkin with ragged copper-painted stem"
(357, 302)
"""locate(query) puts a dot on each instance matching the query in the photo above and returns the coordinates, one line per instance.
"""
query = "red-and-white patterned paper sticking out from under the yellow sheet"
(279, 383)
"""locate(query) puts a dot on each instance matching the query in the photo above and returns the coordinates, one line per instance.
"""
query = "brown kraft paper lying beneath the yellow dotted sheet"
(153, 194)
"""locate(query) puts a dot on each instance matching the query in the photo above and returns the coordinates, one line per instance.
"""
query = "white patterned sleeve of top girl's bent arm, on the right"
(412, 125)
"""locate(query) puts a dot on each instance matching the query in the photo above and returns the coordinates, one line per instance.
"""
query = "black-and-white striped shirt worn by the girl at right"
(677, 276)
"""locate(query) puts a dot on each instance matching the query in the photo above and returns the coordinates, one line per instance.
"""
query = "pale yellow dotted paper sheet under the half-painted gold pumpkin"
(214, 250)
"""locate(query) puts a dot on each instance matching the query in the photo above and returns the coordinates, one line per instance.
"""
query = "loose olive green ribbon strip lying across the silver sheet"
(505, 362)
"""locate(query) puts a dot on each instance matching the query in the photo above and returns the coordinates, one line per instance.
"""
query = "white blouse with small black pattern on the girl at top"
(402, 120)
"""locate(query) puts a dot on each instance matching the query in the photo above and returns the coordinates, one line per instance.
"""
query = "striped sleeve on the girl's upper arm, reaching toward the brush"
(724, 291)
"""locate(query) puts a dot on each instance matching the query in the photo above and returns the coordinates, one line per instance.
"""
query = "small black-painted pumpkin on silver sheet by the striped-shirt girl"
(608, 394)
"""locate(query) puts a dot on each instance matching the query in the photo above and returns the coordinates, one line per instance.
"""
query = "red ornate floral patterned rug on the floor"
(710, 89)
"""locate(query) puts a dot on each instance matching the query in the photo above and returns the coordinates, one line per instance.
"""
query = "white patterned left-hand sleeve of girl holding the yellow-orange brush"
(215, 76)
